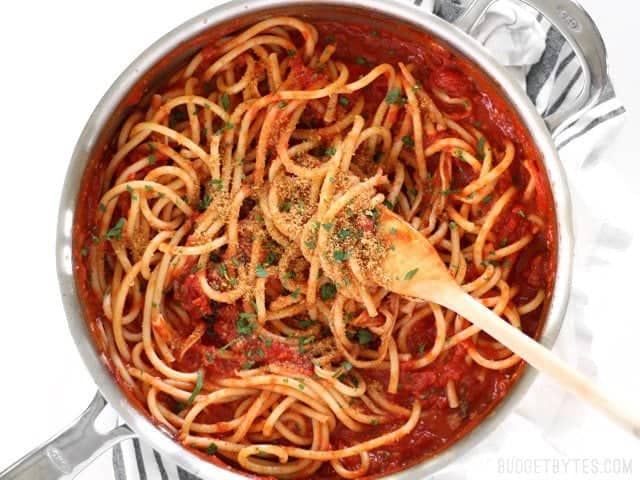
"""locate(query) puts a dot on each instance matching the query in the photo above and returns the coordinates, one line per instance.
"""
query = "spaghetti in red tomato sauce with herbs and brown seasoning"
(218, 249)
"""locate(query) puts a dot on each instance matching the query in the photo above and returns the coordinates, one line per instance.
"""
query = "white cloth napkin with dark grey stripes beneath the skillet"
(548, 434)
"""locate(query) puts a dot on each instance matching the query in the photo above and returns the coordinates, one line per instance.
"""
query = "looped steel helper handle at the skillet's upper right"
(575, 24)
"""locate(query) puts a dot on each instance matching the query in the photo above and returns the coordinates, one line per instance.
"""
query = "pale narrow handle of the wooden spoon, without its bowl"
(541, 358)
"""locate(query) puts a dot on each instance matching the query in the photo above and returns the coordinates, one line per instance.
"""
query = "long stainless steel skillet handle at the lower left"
(69, 452)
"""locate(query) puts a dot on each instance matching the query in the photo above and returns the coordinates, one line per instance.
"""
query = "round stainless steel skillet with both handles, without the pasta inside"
(64, 455)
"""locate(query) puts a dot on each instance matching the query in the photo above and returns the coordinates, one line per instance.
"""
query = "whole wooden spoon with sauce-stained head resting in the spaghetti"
(413, 268)
